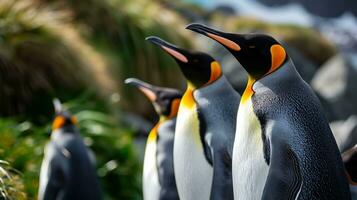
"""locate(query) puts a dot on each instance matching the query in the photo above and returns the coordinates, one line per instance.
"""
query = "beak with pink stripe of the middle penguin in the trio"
(174, 51)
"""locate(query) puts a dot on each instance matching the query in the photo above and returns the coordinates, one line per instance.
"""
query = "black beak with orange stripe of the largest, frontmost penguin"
(219, 36)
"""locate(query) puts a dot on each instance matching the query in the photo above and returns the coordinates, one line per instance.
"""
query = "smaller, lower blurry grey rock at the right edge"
(345, 132)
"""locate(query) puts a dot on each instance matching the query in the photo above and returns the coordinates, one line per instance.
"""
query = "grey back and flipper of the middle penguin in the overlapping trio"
(217, 106)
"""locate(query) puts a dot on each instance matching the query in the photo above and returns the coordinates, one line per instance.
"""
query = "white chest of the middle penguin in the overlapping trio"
(193, 172)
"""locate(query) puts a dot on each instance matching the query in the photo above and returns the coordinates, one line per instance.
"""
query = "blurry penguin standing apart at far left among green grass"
(67, 170)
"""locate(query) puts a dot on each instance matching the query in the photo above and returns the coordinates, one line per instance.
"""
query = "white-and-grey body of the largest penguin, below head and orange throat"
(294, 147)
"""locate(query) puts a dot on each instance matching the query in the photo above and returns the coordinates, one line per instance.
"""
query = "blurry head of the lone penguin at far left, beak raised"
(63, 118)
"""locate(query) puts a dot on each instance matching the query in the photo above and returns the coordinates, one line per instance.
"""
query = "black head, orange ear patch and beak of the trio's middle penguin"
(199, 68)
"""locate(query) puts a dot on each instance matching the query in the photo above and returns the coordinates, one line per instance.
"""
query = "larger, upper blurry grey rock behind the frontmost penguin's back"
(336, 82)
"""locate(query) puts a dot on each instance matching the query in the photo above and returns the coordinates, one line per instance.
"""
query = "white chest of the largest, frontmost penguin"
(249, 168)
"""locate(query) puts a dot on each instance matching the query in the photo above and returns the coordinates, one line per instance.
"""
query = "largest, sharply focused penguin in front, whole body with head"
(284, 147)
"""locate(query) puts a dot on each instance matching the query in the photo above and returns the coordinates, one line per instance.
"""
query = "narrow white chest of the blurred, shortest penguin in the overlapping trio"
(151, 186)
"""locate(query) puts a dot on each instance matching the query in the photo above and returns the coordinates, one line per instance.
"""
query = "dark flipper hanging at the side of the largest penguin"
(284, 179)
